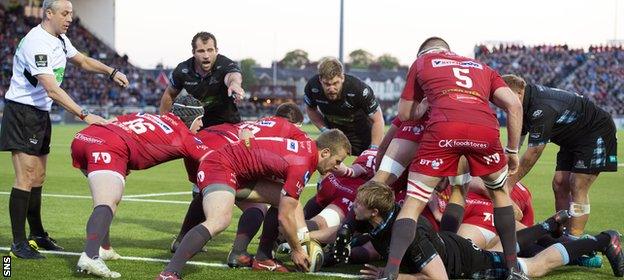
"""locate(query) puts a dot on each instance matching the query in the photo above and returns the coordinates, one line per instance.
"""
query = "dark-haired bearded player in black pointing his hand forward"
(212, 78)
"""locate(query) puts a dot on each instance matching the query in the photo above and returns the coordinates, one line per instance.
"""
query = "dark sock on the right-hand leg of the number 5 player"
(506, 228)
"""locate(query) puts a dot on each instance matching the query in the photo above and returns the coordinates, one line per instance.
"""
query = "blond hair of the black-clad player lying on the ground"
(376, 195)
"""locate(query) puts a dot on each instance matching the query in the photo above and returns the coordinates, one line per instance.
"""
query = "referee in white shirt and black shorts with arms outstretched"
(38, 70)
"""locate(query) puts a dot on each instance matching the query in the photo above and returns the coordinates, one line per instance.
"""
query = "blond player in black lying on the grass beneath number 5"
(446, 255)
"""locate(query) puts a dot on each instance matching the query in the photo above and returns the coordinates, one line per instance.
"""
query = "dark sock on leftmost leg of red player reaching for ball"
(193, 242)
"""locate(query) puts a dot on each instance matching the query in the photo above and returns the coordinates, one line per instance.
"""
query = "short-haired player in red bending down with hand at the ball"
(225, 171)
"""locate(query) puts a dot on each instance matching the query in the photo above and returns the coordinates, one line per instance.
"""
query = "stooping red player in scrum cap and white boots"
(106, 153)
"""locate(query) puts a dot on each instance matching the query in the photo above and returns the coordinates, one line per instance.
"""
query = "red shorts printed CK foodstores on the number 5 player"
(443, 143)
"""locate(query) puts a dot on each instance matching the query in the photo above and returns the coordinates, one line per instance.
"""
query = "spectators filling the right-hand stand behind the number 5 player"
(593, 73)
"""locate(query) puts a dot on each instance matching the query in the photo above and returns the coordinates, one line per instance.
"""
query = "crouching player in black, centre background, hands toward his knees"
(336, 100)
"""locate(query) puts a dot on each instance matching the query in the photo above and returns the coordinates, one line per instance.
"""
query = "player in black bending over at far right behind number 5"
(586, 136)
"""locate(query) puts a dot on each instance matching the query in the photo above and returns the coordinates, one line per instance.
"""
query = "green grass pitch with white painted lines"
(145, 229)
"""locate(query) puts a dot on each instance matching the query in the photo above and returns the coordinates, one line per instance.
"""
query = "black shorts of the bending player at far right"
(595, 153)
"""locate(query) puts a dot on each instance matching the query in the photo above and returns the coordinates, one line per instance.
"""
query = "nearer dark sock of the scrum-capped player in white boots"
(97, 227)
